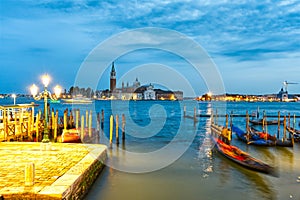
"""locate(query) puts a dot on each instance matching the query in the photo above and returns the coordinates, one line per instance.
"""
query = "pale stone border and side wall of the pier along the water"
(75, 183)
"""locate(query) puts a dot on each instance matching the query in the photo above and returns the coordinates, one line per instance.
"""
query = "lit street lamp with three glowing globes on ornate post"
(45, 94)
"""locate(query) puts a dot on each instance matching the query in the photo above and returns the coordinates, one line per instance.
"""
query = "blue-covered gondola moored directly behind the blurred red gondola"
(253, 139)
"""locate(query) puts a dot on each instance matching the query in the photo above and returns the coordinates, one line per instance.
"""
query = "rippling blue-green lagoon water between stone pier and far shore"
(142, 169)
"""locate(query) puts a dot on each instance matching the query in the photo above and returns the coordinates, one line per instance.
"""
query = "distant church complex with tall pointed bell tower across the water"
(138, 92)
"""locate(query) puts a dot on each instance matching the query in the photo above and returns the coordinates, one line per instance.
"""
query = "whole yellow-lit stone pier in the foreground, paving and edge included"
(49, 171)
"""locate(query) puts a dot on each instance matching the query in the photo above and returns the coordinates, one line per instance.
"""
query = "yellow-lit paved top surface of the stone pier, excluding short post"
(51, 162)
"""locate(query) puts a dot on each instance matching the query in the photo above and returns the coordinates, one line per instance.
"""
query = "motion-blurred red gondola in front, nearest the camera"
(236, 155)
